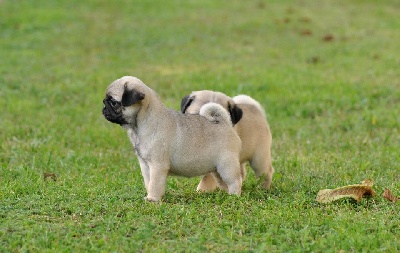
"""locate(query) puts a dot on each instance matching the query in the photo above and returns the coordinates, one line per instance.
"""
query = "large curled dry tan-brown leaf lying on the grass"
(356, 191)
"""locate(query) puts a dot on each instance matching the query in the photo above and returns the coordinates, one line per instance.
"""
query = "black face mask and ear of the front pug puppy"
(113, 109)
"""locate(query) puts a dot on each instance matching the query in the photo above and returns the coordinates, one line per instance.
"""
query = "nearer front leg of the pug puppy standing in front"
(157, 183)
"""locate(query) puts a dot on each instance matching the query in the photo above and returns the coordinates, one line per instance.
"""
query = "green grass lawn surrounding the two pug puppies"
(326, 73)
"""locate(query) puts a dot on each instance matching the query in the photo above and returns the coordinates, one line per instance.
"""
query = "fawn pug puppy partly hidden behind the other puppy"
(253, 130)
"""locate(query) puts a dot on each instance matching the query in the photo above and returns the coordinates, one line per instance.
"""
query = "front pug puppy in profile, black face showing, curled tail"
(167, 142)
